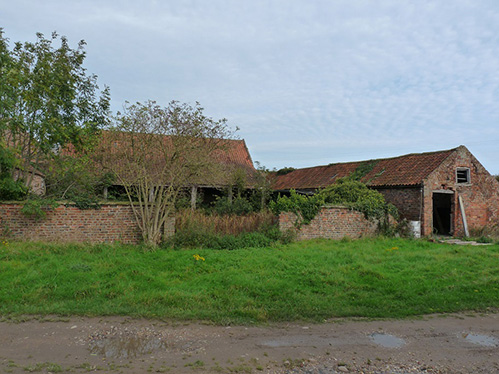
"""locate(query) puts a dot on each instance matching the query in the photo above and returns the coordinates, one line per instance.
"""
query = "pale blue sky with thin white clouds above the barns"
(307, 82)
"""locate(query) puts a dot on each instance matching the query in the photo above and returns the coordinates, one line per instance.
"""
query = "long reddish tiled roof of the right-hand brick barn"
(407, 170)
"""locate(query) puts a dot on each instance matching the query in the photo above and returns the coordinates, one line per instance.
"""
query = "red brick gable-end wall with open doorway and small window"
(480, 196)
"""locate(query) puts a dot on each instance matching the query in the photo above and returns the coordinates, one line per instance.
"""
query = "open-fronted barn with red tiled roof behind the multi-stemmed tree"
(224, 160)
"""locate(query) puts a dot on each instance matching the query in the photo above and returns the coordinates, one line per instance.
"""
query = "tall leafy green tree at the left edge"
(47, 101)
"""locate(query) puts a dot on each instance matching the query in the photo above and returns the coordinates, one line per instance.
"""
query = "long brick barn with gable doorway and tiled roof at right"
(444, 192)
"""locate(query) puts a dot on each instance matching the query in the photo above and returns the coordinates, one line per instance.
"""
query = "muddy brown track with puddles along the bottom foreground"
(436, 344)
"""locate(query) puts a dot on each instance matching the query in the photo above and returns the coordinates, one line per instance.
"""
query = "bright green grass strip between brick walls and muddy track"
(315, 280)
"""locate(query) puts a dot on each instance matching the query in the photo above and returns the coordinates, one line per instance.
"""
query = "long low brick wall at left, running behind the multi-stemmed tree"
(113, 222)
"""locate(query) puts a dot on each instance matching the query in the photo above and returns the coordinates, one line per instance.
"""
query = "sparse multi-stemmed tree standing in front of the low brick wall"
(156, 153)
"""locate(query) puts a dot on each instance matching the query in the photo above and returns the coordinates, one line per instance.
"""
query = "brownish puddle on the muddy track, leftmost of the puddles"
(126, 346)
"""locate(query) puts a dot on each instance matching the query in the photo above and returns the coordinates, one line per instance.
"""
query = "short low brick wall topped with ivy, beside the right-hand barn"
(332, 222)
